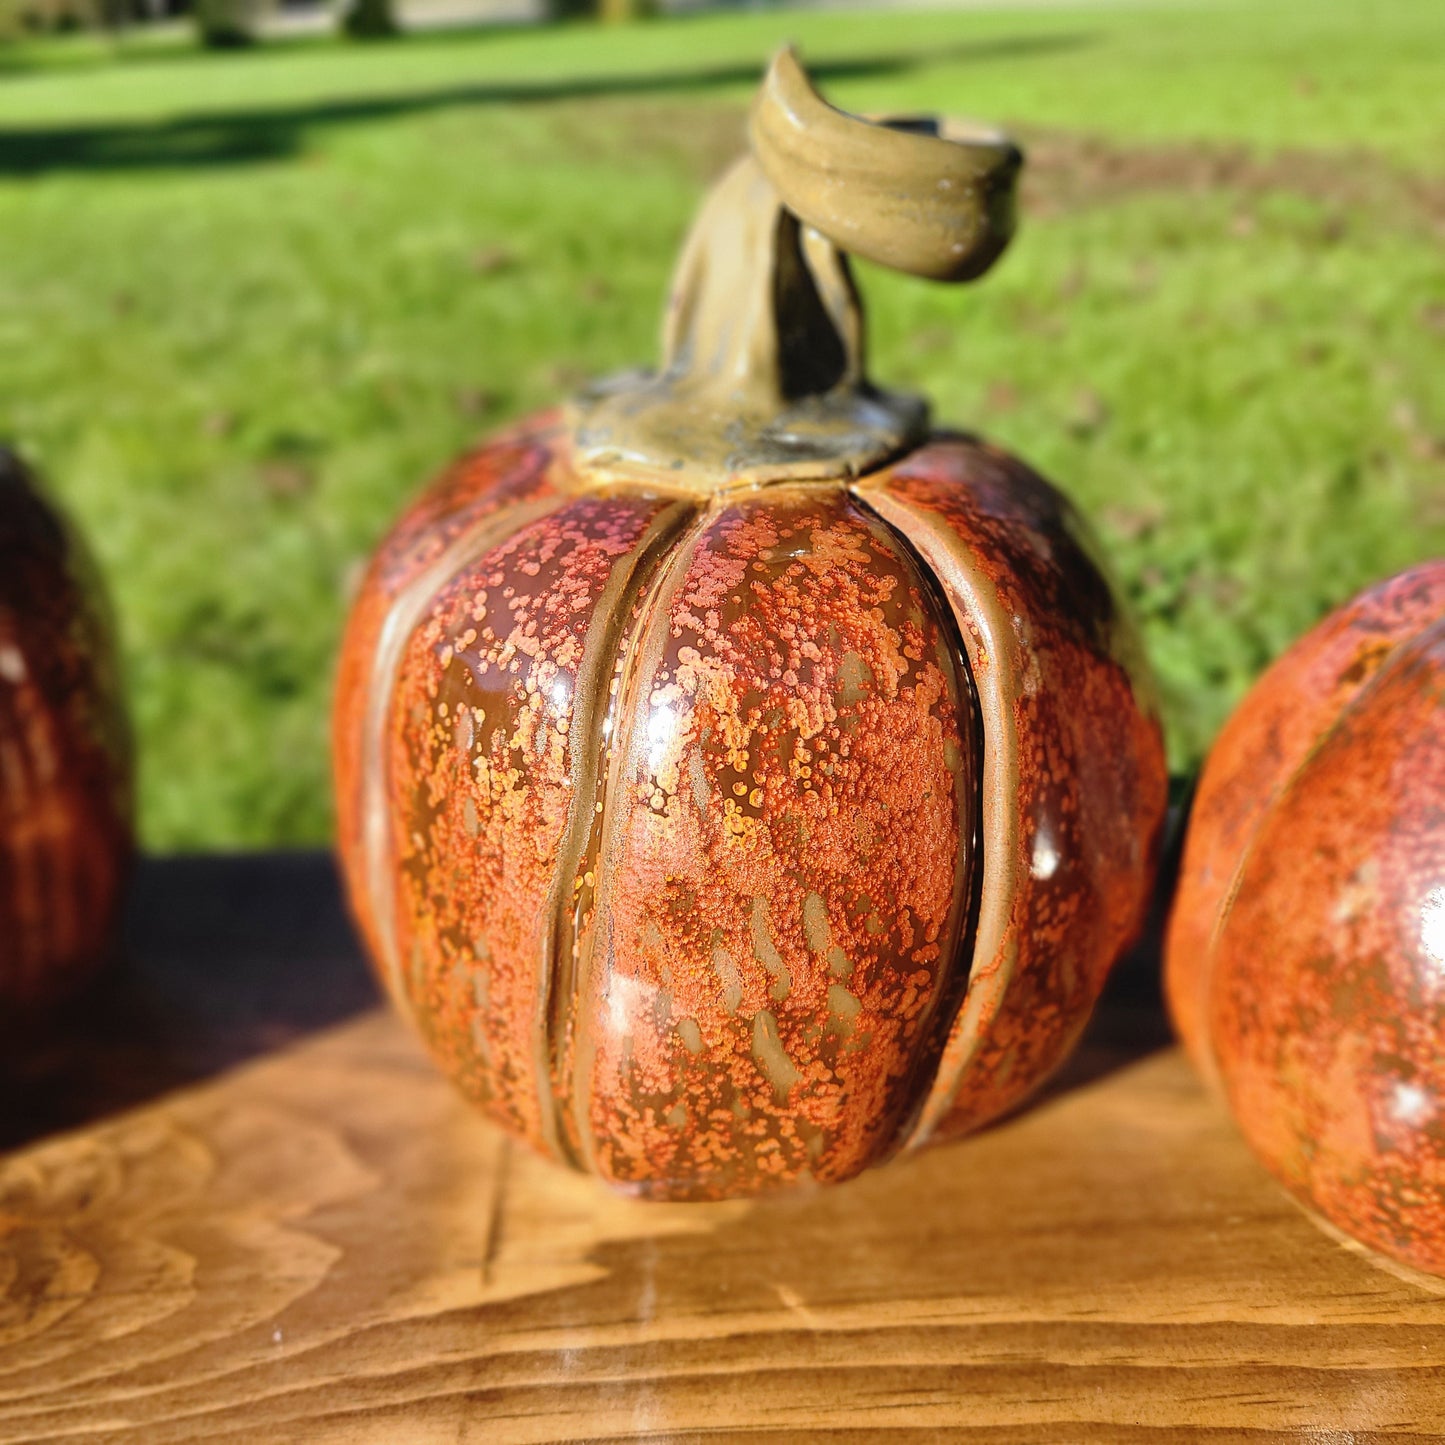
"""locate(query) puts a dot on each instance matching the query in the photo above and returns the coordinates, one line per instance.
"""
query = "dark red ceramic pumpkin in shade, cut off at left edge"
(64, 758)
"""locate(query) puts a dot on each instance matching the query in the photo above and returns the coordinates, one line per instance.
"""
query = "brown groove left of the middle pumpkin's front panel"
(595, 706)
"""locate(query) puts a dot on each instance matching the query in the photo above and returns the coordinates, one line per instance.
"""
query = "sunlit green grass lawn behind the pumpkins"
(251, 303)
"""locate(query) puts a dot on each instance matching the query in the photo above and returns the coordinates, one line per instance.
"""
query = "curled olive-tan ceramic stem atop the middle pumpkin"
(764, 345)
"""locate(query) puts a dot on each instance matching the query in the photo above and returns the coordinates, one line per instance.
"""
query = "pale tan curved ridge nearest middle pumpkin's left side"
(402, 621)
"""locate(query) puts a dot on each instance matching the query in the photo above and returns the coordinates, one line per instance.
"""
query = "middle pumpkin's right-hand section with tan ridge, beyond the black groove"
(1076, 787)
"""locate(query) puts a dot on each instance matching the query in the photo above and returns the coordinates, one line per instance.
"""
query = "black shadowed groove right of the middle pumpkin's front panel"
(962, 930)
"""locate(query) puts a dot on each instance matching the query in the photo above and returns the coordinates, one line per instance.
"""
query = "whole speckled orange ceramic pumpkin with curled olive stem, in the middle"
(739, 781)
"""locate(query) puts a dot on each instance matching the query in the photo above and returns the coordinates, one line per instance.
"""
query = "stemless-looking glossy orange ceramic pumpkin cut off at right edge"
(1306, 957)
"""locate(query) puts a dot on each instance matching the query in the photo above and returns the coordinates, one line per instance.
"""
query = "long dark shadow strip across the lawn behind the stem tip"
(249, 137)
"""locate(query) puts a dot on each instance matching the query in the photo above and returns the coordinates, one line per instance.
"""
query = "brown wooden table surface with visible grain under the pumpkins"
(239, 1206)
